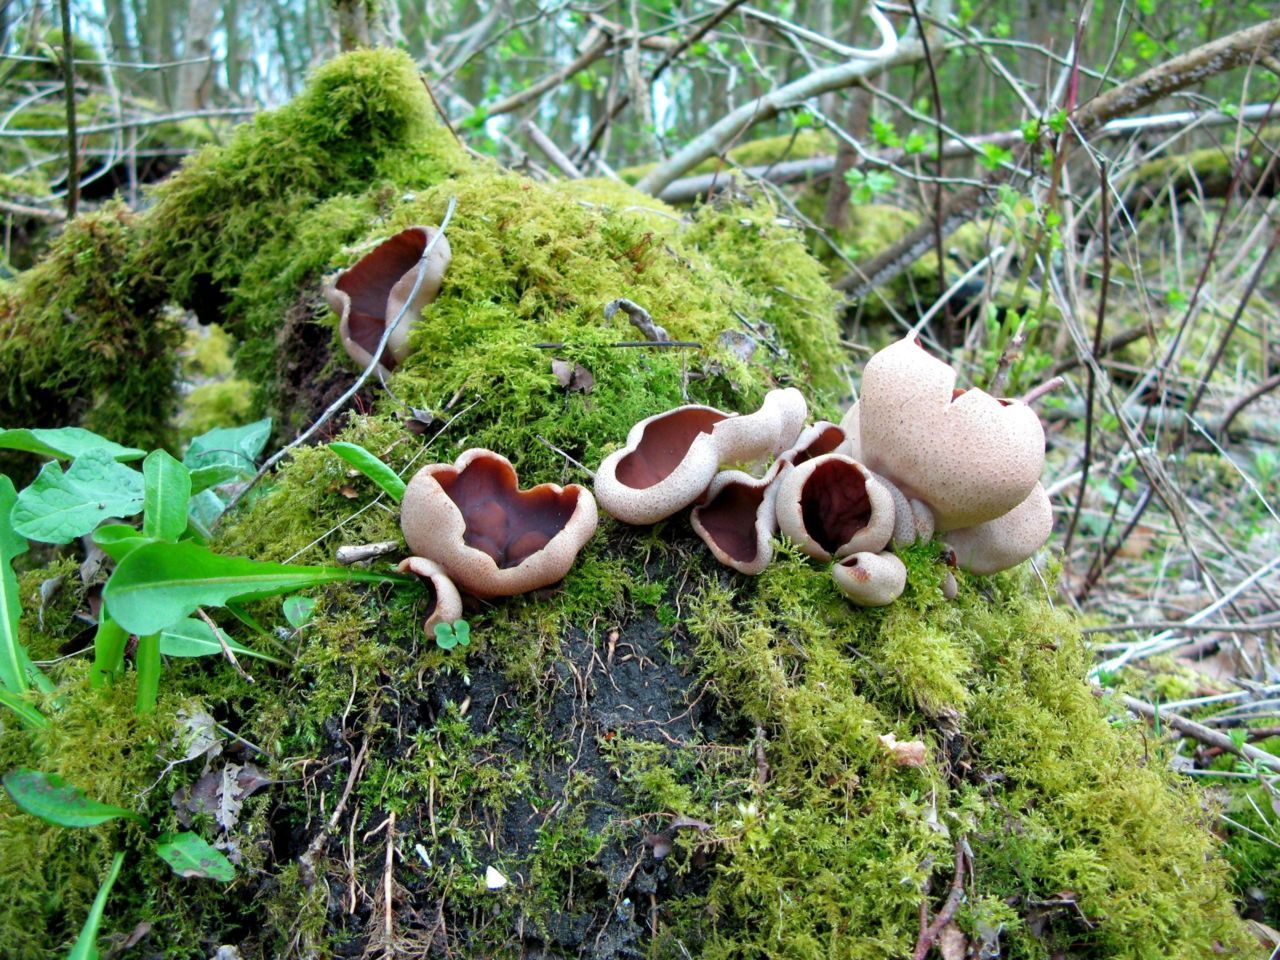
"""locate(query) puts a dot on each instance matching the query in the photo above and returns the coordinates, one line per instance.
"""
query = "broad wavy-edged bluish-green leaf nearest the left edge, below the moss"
(58, 508)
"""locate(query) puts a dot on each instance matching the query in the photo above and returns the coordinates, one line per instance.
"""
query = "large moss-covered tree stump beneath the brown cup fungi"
(656, 758)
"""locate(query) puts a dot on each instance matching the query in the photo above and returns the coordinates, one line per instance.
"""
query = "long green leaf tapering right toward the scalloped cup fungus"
(163, 583)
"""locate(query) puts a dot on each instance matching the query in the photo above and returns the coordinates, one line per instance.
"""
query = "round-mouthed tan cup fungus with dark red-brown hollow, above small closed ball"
(833, 506)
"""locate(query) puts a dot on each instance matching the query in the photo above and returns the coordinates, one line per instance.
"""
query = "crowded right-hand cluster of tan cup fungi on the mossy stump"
(912, 459)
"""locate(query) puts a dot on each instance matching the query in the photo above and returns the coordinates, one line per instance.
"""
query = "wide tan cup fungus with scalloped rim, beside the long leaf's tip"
(492, 538)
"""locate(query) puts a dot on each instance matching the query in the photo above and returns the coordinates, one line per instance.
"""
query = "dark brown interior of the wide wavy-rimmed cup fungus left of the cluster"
(502, 522)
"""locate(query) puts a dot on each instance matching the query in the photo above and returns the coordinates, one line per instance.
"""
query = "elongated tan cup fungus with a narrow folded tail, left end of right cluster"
(671, 459)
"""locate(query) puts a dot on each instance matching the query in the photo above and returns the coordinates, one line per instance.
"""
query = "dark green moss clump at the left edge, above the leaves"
(84, 341)
